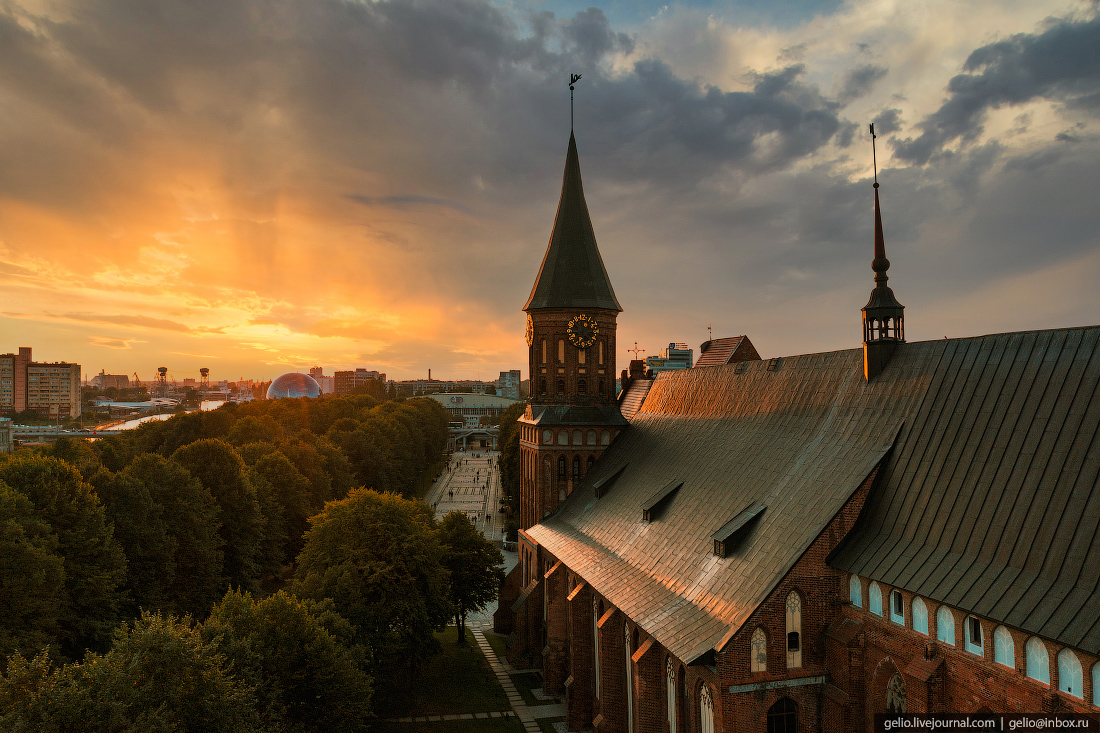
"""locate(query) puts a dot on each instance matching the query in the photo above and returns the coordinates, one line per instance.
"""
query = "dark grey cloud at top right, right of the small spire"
(1061, 64)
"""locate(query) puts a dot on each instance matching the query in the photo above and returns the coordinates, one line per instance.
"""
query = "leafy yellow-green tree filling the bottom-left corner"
(160, 676)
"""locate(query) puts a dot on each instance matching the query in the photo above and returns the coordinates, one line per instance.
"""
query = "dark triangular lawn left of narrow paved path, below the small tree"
(459, 681)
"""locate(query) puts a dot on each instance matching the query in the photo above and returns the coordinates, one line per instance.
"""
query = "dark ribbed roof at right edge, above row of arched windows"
(992, 501)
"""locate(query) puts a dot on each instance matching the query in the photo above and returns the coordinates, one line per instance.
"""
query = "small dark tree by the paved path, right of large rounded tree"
(476, 566)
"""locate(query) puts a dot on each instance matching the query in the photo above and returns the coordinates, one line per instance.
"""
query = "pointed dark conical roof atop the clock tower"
(573, 275)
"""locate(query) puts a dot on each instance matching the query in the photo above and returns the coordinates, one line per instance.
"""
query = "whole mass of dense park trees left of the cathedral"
(261, 567)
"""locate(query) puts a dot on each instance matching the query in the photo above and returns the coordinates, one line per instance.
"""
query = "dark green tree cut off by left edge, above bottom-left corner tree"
(32, 577)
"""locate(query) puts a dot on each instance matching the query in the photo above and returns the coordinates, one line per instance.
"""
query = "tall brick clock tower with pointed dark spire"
(573, 414)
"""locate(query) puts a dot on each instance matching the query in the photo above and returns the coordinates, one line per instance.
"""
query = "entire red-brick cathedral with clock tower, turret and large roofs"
(796, 544)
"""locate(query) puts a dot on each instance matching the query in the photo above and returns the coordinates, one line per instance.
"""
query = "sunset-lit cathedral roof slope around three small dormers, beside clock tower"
(799, 440)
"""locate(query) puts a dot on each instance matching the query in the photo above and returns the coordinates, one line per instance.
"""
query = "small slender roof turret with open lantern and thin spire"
(884, 318)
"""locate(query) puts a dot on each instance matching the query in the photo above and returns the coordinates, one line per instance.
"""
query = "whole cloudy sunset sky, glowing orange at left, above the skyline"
(266, 187)
